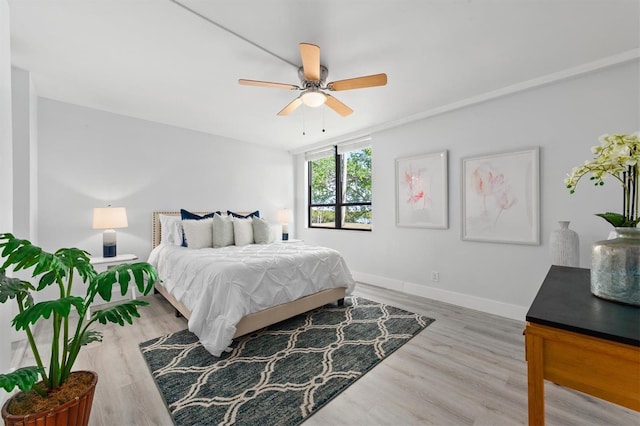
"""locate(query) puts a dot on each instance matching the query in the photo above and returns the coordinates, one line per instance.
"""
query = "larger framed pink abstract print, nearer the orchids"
(500, 197)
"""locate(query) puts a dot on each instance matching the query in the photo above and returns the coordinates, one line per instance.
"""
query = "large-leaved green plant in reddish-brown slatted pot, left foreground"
(47, 383)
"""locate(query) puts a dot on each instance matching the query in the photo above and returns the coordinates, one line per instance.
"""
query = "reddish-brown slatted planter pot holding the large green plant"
(73, 413)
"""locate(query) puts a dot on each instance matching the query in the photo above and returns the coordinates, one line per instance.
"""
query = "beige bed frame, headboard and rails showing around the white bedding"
(259, 319)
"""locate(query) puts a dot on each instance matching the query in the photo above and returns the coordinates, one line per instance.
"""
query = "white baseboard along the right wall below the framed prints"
(493, 307)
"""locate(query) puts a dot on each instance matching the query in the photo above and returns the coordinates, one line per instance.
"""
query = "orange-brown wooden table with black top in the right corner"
(578, 340)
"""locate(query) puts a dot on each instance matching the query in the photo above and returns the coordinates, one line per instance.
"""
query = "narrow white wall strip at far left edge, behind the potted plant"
(6, 172)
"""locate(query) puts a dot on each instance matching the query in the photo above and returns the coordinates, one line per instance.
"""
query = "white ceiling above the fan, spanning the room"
(156, 60)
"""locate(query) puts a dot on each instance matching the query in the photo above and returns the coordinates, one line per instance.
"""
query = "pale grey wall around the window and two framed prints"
(564, 119)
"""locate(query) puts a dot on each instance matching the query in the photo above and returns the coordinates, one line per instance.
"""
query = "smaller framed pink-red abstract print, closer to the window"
(421, 191)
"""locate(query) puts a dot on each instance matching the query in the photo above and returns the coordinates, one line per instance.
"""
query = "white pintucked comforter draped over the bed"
(221, 285)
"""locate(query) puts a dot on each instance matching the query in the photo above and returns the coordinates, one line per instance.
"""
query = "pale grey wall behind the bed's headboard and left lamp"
(90, 158)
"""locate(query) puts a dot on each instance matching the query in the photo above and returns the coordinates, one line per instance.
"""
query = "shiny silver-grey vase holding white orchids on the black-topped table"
(615, 267)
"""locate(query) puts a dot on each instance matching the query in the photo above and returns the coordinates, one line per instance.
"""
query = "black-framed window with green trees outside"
(340, 187)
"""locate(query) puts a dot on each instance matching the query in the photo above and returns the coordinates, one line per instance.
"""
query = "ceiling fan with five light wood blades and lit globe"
(313, 77)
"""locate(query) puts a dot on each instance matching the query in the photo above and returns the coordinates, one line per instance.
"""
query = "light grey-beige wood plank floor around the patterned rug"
(467, 368)
